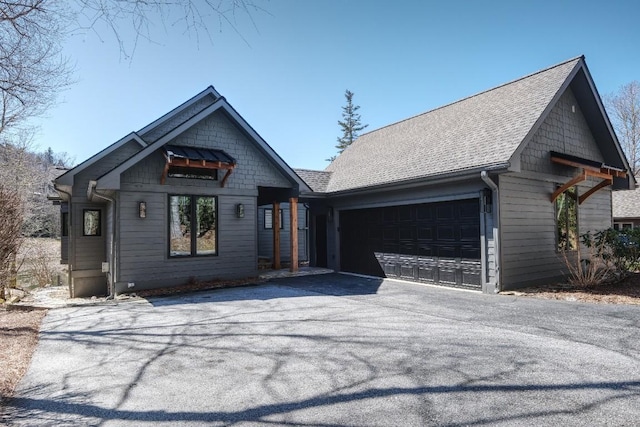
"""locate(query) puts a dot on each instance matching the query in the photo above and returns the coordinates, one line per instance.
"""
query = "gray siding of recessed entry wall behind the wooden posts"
(265, 235)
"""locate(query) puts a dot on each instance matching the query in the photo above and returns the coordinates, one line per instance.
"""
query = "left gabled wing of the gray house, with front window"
(176, 200)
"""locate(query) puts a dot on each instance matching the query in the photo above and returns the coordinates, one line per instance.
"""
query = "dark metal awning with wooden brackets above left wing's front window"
(203, 162)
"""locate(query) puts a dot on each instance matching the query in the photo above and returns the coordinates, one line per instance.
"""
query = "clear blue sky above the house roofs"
(286, 75)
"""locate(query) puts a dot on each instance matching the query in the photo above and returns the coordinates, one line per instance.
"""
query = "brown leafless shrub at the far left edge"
(10, 233)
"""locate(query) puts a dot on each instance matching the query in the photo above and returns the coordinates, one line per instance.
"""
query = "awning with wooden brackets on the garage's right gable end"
(587, 168)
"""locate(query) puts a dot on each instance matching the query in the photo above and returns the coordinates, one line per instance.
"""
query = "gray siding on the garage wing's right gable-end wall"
(527, 220)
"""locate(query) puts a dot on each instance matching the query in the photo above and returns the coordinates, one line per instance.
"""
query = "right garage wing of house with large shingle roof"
(482, 193)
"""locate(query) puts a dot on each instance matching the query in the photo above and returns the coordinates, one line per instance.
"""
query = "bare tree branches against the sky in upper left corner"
(32, 68)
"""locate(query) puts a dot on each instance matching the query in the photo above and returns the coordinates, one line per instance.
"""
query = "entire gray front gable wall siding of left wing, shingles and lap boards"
(143, 242)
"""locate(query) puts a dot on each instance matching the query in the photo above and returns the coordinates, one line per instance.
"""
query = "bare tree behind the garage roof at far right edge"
(624, 108)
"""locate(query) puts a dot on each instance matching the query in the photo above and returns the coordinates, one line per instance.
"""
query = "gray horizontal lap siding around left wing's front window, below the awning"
(144, 243)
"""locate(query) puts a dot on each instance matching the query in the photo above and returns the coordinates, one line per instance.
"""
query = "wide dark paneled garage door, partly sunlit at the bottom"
(429, 242)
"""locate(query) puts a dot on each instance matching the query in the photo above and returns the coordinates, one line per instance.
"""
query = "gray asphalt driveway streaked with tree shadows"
(335, 350)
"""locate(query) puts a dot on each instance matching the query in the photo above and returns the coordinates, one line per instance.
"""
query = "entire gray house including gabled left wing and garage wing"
(484, 193)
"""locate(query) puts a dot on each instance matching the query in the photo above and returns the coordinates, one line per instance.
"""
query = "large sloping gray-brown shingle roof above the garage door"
(482, 130)
